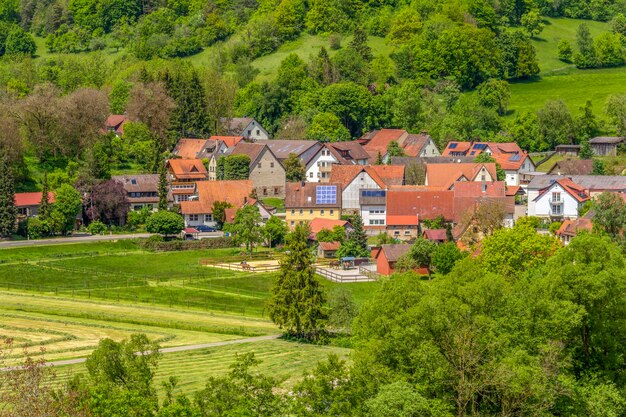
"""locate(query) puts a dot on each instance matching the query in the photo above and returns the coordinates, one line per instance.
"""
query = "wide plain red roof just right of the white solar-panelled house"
(405, 206)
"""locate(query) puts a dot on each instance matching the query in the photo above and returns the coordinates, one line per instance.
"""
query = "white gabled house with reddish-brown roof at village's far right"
(561, 199)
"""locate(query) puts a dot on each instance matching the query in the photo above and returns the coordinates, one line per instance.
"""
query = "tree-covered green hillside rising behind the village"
(175, 67)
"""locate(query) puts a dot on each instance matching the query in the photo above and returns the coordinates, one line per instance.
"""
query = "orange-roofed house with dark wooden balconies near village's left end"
(182, 177)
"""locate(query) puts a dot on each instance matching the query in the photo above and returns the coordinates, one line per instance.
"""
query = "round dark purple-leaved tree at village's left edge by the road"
(108, 203)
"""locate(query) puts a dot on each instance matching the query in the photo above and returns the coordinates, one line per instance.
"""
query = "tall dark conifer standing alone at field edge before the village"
(297, 300)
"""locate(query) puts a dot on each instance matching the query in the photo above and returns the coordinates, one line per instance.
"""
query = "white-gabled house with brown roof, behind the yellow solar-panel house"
(343, 153)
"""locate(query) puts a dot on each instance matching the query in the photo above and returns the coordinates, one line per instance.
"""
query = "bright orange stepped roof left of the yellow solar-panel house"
(235, 192)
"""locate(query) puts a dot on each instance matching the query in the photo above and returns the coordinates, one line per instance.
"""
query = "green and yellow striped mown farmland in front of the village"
(66, 298)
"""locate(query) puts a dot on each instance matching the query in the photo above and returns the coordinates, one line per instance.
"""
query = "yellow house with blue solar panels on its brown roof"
(306, 201)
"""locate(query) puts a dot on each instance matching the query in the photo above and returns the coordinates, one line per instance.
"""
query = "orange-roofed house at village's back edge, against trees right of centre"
(377, 142)
